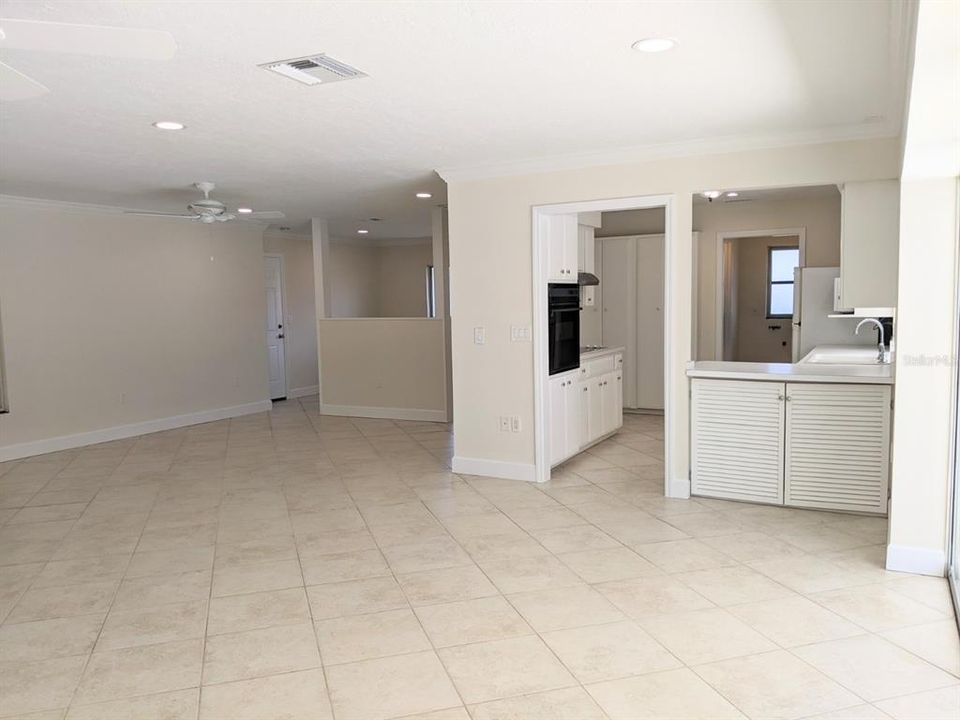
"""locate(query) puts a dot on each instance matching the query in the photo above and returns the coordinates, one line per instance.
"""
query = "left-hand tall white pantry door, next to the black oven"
(619, 281)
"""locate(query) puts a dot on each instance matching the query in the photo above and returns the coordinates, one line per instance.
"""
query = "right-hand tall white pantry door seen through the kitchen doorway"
(649, 363)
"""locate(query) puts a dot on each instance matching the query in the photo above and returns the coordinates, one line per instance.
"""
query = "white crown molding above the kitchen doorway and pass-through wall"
(644, 153)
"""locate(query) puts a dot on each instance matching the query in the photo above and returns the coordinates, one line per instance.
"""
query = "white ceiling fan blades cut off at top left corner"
(97, 40)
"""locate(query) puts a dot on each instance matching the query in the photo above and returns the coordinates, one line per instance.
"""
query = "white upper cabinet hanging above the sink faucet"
(869, 240)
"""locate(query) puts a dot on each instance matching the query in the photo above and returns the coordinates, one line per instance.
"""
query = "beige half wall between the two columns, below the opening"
(390, 367)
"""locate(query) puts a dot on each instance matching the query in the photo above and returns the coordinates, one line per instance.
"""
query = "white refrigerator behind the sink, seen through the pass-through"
(812, 306)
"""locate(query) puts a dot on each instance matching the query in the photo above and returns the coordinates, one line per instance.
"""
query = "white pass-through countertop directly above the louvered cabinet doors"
(797, 372)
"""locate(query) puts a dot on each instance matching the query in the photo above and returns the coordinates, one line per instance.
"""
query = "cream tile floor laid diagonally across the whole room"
(285, 565)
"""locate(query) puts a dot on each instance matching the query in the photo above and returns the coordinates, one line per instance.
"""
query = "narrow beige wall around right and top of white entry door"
(300, 325)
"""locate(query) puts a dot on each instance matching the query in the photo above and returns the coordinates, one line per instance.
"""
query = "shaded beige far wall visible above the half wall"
(378, 279)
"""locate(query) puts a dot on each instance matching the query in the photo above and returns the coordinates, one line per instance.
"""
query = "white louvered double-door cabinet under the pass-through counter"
(814, 445)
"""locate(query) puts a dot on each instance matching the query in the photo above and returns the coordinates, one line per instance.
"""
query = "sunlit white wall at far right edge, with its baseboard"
(927, 288)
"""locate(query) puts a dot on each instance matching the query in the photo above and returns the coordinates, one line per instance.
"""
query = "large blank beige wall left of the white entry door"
(111, 320)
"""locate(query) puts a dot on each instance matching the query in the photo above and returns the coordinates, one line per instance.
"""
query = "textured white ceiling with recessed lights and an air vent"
(451, 85)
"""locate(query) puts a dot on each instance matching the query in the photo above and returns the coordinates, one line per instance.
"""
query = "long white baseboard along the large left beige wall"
(118, 432)
